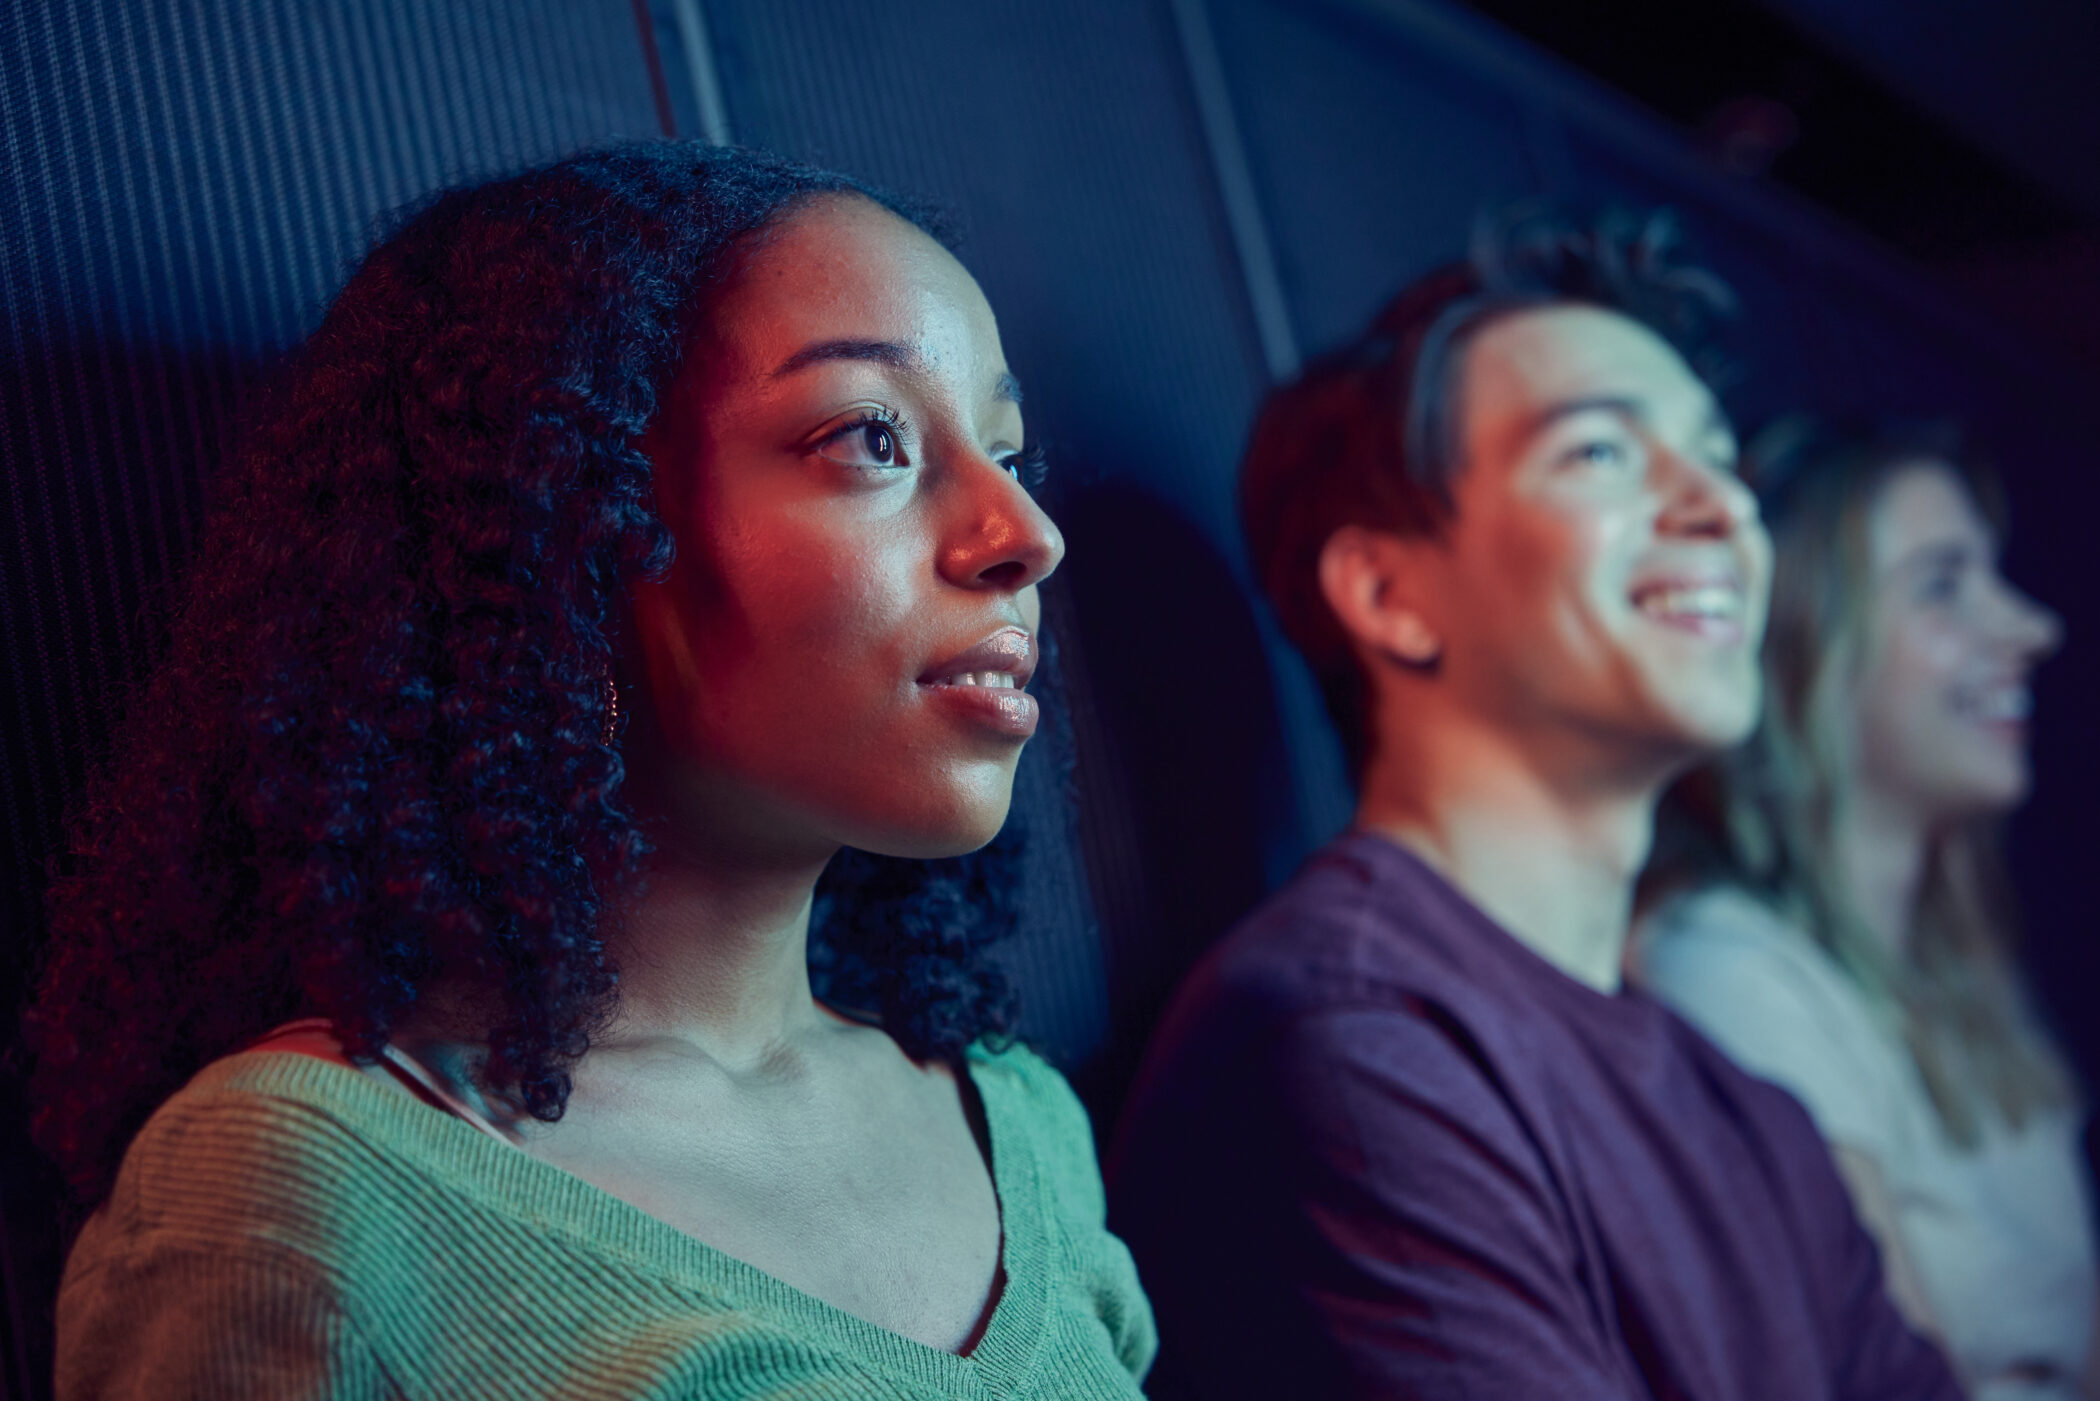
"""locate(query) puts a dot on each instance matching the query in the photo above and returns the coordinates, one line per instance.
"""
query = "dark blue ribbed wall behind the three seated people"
(1167, 201)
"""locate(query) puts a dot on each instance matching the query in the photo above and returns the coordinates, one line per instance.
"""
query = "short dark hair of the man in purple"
(1370, 434)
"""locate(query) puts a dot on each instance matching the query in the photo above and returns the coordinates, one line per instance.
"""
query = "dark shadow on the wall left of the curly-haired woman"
(108, 448)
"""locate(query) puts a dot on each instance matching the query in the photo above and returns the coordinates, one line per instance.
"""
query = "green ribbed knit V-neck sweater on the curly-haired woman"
(289, 1228)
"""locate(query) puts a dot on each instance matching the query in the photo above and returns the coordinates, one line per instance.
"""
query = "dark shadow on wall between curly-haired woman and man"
(1183, 774)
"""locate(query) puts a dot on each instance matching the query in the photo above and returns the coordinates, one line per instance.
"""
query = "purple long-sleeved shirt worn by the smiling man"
(1385, 1150)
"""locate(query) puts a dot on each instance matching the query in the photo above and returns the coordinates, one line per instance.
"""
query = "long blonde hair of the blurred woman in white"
(1765, 816)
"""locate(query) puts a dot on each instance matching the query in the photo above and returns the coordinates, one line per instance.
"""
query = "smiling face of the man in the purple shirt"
(1605, 577)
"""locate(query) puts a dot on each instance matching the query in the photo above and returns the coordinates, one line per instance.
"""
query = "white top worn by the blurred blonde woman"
(2000, 1234)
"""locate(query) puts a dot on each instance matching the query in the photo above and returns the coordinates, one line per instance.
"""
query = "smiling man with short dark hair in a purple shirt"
(1406, 1133)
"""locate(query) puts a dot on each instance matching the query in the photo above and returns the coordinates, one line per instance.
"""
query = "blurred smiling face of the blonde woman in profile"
(1944, 686)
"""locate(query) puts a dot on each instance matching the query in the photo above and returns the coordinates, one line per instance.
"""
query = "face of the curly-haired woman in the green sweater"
(841, 648)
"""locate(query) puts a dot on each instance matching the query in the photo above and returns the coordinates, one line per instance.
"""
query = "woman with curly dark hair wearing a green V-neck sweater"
(633, 537)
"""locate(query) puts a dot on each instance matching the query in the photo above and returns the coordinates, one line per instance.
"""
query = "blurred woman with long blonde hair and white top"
(1834, 913)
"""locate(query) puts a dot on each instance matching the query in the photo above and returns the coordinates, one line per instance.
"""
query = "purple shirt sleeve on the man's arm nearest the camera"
(1431, 1253)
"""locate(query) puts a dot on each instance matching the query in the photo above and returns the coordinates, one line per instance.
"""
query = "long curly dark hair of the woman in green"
(377, 747)
